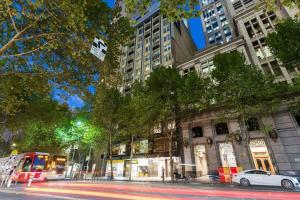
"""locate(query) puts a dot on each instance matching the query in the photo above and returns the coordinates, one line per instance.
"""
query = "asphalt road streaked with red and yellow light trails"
(74, 190)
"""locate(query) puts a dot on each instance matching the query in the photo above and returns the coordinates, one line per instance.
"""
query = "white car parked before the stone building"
(260, 177)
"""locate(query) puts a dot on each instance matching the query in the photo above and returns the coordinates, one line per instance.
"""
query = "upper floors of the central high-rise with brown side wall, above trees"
(156, 42)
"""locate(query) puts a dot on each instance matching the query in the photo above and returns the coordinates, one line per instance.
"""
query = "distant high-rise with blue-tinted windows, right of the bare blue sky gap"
(216, 22)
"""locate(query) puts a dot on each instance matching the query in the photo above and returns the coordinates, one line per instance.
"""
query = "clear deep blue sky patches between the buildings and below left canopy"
(197, 35)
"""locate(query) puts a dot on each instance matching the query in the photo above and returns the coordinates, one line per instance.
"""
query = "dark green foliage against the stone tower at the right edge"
(286, 35)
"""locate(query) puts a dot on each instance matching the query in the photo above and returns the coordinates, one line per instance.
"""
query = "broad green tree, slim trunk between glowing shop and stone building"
(175, 98)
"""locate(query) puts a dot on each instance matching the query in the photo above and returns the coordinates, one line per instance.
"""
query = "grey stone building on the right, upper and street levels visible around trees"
(207, 147)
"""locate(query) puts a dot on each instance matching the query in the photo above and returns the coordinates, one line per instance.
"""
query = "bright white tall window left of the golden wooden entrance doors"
(227, 155)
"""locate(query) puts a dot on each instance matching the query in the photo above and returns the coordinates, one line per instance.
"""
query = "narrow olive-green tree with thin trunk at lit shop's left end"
(106, 108)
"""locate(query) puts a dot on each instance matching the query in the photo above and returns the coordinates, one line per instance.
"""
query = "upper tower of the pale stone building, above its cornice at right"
(254, 22)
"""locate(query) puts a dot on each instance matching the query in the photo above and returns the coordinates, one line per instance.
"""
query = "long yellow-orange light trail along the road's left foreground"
(90, 193)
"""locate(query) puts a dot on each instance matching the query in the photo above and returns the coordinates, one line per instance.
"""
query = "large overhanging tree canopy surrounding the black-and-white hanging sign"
(45, 44)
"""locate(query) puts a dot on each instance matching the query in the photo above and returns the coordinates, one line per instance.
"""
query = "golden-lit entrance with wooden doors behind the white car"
(260, 155)
